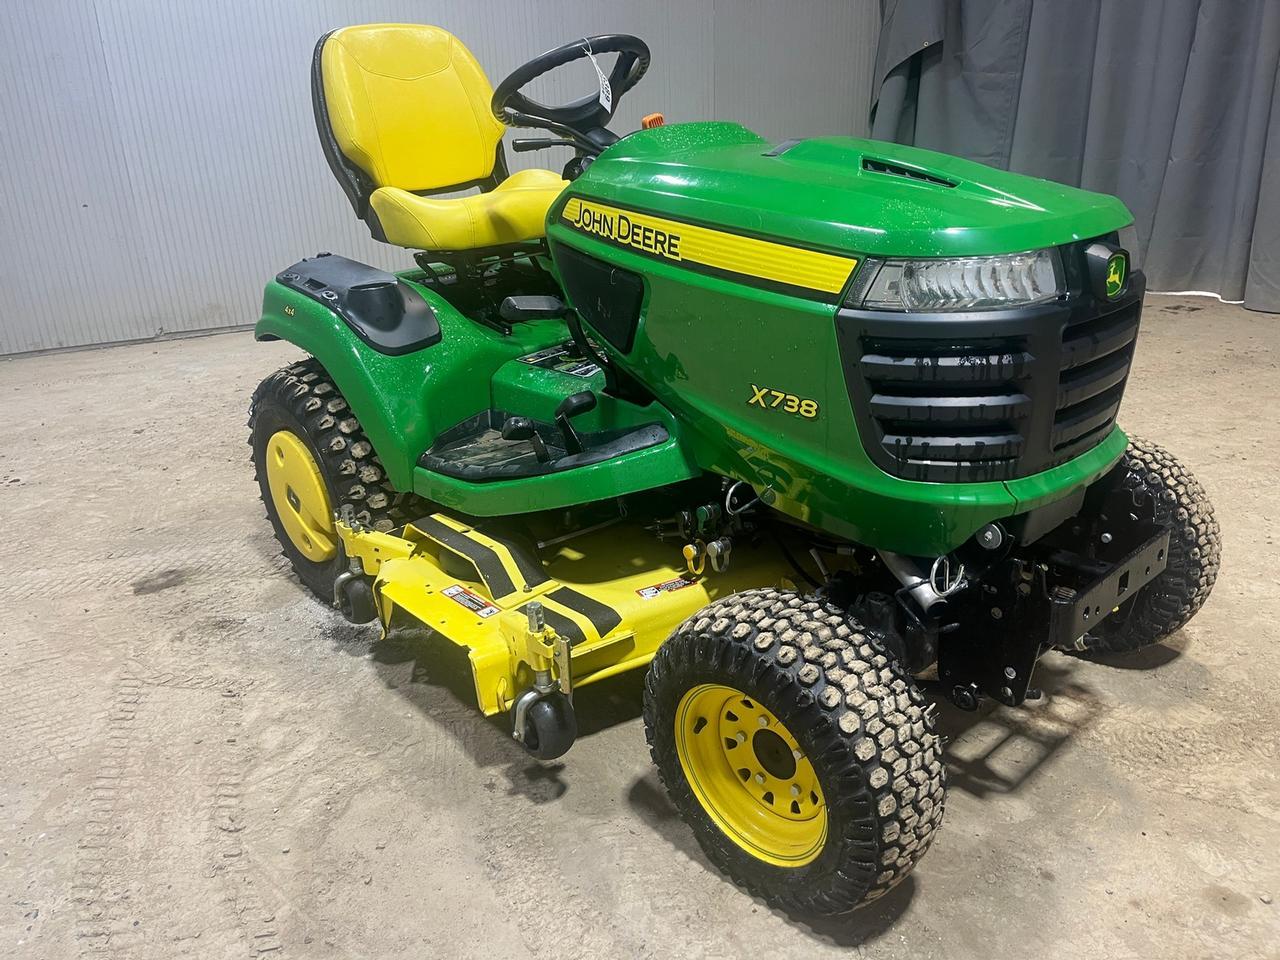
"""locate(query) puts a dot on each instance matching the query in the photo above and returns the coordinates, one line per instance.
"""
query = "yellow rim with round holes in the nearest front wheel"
(751, 776)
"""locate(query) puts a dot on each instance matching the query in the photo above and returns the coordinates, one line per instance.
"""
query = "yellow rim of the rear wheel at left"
(300, 497)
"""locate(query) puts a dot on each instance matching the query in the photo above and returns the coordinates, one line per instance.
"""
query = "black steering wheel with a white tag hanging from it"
(583, 122)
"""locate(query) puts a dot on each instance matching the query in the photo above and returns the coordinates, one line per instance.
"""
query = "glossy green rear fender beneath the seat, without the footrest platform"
(404, 403)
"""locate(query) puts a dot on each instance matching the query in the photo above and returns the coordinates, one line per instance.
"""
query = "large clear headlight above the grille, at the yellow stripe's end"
(966, 284)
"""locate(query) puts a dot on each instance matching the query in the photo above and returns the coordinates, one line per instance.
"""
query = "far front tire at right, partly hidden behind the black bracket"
(1155, 486)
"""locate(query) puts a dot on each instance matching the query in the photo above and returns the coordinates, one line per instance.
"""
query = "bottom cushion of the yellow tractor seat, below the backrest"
(511, 213)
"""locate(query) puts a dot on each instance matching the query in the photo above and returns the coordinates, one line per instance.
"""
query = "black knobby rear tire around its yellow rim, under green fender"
(304, 399)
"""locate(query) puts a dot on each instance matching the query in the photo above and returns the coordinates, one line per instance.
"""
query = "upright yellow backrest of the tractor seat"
(409, 106)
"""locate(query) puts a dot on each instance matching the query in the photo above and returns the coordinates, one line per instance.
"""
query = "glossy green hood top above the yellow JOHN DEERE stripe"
(843, 194)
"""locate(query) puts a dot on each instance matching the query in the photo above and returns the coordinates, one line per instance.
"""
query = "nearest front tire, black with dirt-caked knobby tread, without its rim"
(856, 712)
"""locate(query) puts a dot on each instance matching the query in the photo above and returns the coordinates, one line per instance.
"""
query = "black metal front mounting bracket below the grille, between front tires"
(1032, 605)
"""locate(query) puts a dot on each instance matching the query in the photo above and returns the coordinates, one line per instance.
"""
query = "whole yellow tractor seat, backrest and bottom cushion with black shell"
(404, 115)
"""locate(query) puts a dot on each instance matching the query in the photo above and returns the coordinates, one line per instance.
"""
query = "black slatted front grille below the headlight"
(988, 396)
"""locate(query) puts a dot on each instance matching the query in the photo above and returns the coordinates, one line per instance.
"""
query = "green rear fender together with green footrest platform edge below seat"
(404, 403)
